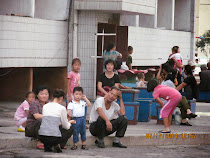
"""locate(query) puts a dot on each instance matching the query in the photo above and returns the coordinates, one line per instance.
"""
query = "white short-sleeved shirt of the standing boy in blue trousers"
(78, 110)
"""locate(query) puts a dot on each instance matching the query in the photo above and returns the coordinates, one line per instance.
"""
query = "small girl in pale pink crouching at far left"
(22, 112)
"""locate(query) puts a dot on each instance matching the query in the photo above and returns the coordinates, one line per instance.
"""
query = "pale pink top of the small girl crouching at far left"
(21, 111)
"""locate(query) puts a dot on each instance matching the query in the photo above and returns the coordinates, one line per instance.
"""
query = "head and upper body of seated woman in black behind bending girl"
(189, 84)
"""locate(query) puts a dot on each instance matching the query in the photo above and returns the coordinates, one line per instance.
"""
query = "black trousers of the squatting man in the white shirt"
(98, 128)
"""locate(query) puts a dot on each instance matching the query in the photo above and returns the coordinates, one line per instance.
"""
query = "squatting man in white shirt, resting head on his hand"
(104, 118)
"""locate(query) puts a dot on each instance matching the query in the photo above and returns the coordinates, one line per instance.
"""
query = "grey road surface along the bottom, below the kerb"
(131, 152)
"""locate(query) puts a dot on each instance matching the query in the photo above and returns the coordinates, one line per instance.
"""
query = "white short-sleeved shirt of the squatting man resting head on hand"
(111, 113)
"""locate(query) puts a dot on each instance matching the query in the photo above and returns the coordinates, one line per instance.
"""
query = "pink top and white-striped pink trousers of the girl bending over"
(172, 95)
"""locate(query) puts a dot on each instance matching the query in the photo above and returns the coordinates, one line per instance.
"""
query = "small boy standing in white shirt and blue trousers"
(76, 109)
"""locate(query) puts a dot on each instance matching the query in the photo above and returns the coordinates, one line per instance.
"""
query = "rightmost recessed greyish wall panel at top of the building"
(182, 19)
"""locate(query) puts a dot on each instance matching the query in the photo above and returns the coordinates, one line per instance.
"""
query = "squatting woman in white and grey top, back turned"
(51, 133)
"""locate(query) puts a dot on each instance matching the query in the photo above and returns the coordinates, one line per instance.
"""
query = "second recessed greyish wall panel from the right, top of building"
(165, 14)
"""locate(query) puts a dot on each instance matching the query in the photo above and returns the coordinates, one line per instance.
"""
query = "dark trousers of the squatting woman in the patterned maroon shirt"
(33, 130)
